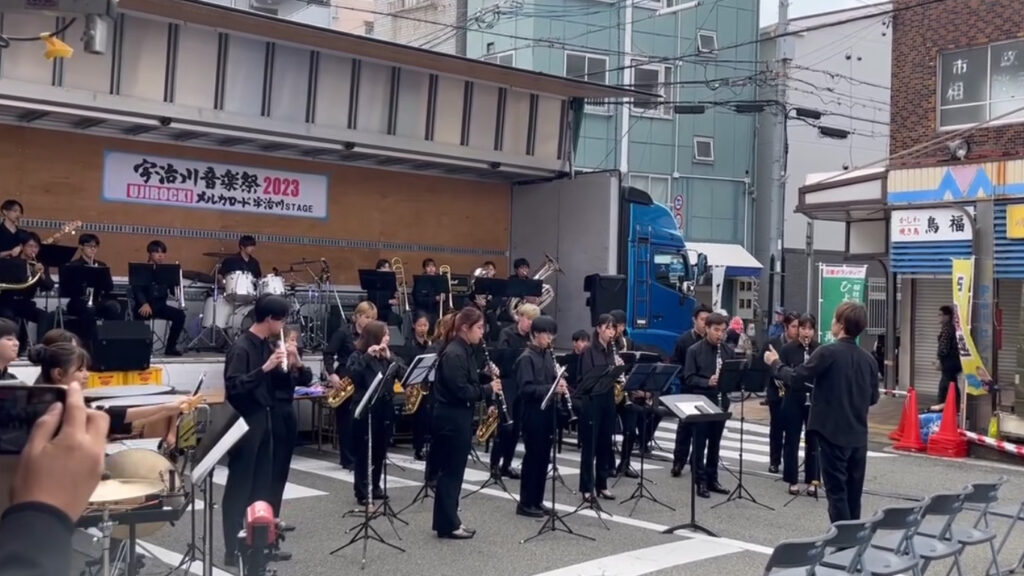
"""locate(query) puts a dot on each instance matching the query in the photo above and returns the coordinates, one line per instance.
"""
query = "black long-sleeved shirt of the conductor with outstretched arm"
(846, 385)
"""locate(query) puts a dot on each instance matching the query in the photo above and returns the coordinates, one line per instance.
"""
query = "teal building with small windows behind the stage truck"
(700, 164)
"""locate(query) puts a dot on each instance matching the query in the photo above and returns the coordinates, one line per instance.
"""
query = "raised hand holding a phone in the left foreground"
(63, 471)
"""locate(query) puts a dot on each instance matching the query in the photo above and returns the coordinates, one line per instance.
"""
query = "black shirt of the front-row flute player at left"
(248, 388)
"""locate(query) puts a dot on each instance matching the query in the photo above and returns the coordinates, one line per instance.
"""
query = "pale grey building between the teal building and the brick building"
(843, 72)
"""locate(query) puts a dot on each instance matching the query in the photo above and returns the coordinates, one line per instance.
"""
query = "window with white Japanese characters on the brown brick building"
(978, 85)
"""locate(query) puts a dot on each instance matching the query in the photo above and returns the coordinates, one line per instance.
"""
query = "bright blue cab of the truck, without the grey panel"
(661, 272)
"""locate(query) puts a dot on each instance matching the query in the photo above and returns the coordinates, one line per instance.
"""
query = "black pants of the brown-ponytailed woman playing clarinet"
(452, 434)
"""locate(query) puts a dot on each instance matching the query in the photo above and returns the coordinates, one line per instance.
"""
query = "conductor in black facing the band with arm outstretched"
(846, 385)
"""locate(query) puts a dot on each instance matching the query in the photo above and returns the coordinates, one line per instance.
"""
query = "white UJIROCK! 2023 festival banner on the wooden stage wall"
(142, 179)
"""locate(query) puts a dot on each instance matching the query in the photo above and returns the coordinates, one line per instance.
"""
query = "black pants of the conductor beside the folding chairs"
(843, 474)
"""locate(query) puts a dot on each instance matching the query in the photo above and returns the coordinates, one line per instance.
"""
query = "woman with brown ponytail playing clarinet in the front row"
(457, 389)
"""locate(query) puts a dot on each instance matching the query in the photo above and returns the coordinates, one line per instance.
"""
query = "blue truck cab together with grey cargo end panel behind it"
(592, 225)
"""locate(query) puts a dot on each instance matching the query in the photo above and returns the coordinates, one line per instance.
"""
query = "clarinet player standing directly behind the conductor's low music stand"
(704, 363)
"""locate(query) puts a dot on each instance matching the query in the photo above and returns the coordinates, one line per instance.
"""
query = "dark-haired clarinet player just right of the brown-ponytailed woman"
(535, 373)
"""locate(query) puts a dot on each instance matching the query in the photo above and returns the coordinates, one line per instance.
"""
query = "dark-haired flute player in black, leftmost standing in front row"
(249, 374)
